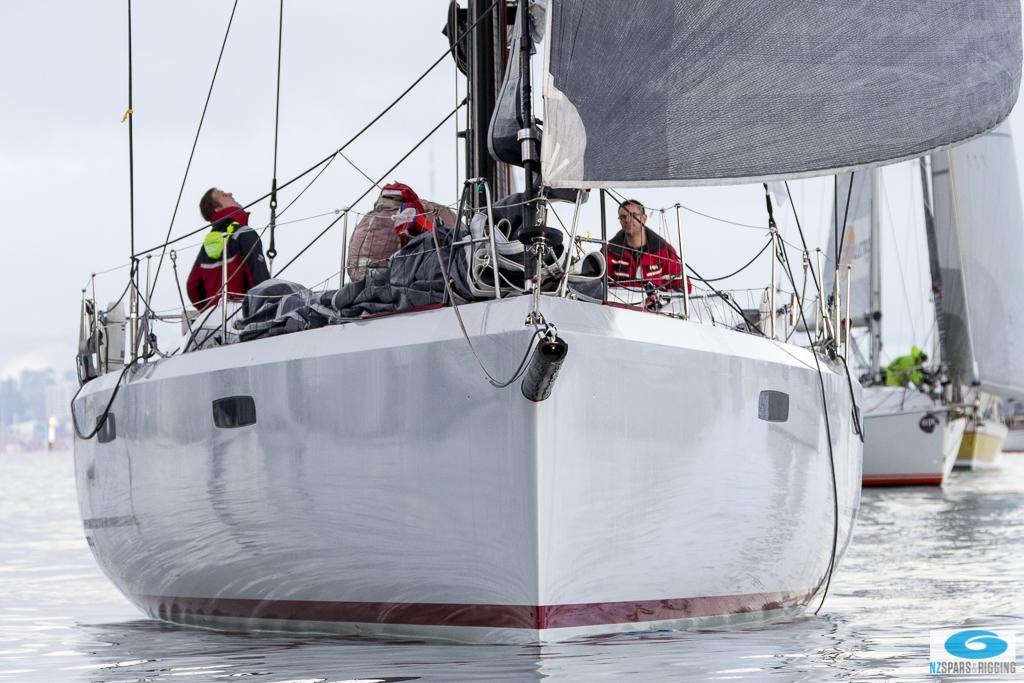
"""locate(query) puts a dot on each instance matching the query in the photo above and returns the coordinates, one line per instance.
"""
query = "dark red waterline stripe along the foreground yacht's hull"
(503, 617)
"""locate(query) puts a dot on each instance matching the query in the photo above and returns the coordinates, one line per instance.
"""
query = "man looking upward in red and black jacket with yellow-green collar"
(246, 266)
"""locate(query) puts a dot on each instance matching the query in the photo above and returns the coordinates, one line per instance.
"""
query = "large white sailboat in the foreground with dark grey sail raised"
(364, 479)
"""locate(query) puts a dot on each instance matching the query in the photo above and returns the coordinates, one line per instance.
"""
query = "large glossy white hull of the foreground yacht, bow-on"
(388, 490)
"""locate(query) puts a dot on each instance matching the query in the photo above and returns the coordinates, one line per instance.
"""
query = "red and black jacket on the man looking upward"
(246, 266)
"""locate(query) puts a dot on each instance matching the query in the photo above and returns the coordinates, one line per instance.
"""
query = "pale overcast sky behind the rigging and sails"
(64, 150)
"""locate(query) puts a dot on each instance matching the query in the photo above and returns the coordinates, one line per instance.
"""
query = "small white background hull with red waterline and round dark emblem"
(909, 439)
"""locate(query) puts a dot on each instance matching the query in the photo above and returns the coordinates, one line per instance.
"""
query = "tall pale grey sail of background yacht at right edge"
(979, 230)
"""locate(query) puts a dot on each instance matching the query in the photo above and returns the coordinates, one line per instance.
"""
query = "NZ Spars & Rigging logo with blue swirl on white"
(988, 652)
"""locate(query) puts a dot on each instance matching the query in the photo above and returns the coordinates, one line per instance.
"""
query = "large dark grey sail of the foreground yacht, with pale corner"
(701, 92)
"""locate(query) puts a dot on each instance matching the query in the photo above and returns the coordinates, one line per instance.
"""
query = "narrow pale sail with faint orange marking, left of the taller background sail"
(857, 245)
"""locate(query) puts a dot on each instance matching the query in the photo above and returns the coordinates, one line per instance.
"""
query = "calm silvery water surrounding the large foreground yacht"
(922, 560)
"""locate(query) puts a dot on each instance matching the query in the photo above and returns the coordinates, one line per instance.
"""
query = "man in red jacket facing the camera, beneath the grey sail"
(637, 255)
